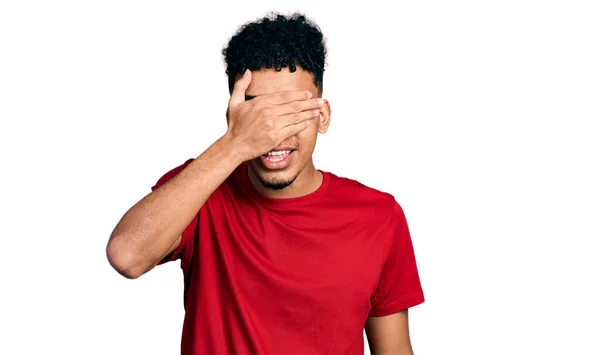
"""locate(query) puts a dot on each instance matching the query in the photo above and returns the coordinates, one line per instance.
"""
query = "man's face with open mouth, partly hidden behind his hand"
(300, 168)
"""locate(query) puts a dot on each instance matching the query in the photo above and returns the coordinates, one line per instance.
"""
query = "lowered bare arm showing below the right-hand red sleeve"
(389, 335)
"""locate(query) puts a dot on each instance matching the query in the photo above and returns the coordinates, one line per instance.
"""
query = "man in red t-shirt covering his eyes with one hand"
(278, 257)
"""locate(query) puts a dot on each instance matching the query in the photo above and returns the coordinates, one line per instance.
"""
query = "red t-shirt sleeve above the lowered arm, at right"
(399, 286)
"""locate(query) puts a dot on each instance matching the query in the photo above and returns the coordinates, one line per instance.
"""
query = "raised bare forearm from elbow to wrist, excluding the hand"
(151, 227)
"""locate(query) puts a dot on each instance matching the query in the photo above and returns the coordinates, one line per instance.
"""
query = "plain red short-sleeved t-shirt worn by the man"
(292, 276)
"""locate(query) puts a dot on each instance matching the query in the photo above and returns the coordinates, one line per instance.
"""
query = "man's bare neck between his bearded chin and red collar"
(308, 181)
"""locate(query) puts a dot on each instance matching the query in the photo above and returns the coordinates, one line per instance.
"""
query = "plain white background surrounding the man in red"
(480, 117)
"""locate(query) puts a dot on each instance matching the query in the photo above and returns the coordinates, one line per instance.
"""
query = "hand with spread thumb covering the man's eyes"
(261, 124)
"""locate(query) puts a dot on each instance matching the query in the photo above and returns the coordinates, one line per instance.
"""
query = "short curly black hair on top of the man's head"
(277, 41)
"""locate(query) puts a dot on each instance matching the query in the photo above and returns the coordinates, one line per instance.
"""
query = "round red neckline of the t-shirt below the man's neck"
(243, 180)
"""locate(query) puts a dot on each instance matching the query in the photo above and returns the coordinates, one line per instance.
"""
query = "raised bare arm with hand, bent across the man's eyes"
(152, 228)
